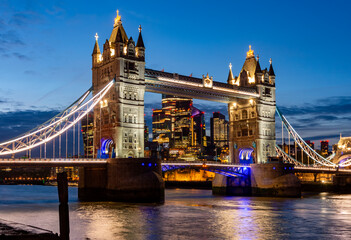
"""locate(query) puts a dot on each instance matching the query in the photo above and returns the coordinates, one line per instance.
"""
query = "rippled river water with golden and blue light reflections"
(186, 214)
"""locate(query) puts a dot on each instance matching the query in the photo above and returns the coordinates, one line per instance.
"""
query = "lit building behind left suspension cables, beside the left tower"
(87, 124)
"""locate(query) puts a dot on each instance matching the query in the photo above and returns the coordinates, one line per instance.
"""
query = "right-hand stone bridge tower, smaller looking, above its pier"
(252, 121)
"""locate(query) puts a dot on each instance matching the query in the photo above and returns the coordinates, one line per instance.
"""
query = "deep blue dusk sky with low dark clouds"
(46, 46)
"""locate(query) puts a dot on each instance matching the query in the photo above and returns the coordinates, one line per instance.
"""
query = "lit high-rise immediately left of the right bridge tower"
(219, 130)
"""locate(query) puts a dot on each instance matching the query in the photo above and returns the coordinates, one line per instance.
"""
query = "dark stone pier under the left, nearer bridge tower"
(123, 180)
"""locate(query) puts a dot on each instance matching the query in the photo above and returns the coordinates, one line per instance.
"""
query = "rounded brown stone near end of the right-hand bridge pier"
(274, 180)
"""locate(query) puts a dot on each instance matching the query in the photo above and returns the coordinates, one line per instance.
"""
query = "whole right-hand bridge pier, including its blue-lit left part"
(269, 179)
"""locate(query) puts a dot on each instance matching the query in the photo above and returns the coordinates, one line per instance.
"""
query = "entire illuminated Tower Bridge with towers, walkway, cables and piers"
(119, 81)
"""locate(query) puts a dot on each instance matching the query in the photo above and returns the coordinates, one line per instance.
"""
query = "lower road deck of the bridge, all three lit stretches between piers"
(89, 162)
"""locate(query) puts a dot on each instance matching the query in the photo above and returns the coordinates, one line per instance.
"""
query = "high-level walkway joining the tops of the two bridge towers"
(191, 87)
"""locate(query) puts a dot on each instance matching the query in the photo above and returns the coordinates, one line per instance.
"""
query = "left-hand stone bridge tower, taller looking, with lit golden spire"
(119, 120)
